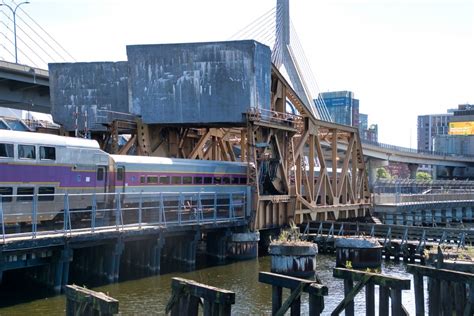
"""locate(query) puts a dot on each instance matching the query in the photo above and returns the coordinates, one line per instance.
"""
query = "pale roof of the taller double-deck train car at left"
(46, 139)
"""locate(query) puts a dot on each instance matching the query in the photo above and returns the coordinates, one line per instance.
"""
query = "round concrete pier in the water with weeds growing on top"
(294, 259)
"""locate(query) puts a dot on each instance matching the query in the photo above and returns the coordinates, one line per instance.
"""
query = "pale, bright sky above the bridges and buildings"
(401, 58)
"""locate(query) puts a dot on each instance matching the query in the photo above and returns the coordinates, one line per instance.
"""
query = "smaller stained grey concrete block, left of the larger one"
(96, 88)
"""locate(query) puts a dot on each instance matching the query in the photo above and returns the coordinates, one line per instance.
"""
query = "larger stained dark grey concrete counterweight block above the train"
(198, 83)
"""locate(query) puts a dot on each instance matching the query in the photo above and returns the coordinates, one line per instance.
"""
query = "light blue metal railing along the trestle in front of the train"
(31, 215)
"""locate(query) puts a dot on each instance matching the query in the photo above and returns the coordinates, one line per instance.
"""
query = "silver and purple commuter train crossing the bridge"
(49, 166)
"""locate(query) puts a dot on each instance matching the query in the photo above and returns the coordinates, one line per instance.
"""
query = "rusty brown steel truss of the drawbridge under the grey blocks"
(280, 149)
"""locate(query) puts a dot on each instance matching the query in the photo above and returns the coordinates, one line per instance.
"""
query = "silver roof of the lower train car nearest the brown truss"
(172, 161)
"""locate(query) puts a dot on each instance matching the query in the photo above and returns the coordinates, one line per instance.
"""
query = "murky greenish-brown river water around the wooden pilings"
(149, 295)
